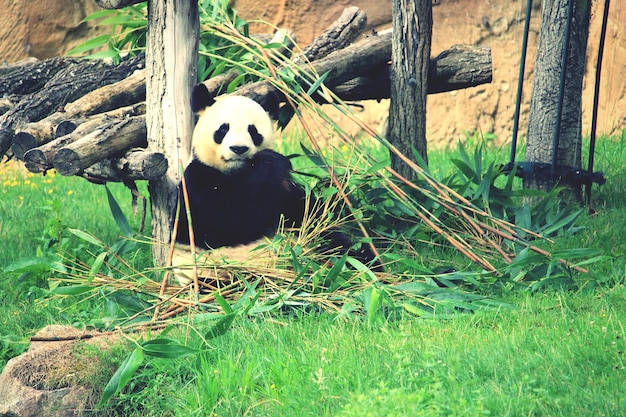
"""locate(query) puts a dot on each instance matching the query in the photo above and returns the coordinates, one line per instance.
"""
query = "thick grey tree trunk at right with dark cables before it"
(544, 100)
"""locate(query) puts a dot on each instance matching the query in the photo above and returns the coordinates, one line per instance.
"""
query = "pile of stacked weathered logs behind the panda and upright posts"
(87, 117)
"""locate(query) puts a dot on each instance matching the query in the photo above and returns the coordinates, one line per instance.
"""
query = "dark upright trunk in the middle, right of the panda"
(412, 27)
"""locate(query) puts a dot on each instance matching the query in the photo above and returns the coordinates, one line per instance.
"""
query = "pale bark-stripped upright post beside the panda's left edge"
(171, 60)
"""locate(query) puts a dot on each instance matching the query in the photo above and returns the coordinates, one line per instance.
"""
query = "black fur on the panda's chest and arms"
(239, 207)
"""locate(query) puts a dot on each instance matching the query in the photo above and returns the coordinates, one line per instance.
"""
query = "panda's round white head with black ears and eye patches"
(230, 129)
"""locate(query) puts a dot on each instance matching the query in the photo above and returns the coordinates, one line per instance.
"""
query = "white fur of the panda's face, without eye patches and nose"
(239, 113)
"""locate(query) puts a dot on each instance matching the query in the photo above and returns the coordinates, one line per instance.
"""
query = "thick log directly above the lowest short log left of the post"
(109, 141)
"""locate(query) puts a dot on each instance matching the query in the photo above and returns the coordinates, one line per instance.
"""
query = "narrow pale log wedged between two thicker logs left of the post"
(40, 159)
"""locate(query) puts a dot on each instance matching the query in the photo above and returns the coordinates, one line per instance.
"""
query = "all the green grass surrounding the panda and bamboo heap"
(555, 353)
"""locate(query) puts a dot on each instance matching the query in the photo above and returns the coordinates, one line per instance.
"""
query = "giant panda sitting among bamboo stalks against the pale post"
(238, 187)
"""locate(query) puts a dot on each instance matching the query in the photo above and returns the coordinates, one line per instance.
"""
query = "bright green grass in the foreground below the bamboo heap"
(559, 354)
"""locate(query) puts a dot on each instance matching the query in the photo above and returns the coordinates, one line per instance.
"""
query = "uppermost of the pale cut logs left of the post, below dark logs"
(122, 93)
